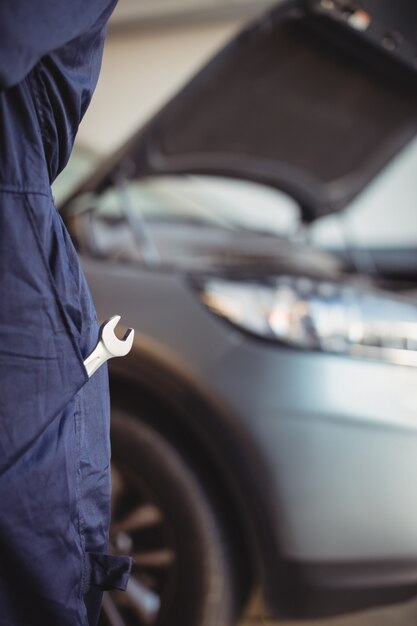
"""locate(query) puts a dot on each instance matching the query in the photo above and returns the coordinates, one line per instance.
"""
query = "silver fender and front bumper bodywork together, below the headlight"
(312, 428)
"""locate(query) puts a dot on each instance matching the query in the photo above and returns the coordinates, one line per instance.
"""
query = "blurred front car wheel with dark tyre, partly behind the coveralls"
(161, 516)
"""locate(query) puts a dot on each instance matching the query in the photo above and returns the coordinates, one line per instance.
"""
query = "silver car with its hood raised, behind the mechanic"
(260, 235)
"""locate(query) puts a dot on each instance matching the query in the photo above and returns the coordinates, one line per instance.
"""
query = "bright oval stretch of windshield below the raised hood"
(203, 201)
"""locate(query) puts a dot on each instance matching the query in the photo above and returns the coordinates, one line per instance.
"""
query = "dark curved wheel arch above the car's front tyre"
(215, 441)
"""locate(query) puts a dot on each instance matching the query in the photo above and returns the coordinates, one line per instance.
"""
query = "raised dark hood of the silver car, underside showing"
(313, 98)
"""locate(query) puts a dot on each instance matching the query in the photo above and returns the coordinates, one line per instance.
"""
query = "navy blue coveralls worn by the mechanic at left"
(54, 422)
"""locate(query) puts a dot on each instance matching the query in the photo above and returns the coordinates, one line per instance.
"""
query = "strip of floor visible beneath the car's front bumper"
(401, 615)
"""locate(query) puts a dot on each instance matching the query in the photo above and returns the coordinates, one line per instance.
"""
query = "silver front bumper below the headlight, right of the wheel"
(339, 440)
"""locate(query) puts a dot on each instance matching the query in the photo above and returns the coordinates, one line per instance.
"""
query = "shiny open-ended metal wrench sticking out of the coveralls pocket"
(109, 345)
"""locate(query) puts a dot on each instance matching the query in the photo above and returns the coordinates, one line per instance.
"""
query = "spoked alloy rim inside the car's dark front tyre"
(140, 529)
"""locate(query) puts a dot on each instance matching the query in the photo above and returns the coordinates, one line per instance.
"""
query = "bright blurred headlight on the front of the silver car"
(324, 316)
